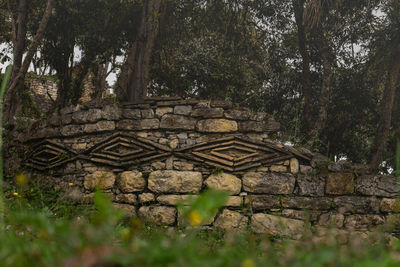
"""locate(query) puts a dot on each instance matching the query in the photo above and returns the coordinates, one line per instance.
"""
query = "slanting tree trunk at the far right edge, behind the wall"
(386, 108)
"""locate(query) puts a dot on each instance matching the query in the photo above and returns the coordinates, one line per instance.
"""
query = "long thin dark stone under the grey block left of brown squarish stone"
(309, 203)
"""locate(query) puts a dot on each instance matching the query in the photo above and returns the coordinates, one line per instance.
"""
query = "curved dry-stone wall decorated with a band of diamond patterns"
(149, 157)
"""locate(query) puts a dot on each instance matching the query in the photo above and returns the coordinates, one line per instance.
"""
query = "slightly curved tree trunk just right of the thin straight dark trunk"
(327, 58)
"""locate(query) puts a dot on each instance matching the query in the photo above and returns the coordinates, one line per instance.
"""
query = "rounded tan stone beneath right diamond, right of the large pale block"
(224, 182)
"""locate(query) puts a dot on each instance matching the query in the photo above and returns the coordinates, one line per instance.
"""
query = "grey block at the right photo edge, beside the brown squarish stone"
(378, 185)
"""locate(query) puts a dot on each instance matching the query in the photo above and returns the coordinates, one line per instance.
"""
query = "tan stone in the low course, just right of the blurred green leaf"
(231, 220)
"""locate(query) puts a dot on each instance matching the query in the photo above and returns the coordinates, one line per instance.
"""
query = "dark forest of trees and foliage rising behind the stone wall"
(327, 70)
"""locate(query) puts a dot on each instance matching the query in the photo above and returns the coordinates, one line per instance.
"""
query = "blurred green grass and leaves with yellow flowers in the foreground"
(43, 229)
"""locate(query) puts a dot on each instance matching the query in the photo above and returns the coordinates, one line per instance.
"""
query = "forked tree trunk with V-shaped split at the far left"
(13, 96)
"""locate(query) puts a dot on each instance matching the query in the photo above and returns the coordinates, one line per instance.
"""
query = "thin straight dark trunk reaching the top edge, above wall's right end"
(298, 6)
